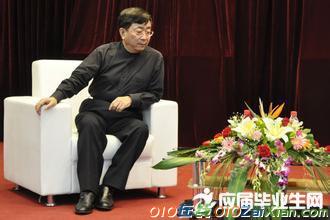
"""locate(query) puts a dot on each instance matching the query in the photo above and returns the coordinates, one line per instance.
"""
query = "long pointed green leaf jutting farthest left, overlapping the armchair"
(175, 162)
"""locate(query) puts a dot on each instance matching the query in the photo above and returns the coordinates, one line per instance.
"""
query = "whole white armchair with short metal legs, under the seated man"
(40, 152)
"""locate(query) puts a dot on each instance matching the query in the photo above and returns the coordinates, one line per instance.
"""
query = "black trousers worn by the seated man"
(93, 122)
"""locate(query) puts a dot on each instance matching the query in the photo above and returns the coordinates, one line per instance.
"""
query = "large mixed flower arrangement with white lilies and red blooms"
(259, 149)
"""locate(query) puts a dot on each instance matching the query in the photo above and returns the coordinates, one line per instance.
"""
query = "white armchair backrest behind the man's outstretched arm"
(48, 74)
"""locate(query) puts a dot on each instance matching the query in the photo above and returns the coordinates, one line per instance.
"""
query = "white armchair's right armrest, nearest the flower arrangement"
(162, 120)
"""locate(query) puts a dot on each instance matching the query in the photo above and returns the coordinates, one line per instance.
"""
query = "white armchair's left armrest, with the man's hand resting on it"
(37, 148)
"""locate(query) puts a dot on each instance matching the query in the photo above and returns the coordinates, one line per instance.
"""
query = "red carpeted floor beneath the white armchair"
(131, 204)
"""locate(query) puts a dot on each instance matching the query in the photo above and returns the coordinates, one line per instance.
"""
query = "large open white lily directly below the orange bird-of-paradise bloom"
(274, 129)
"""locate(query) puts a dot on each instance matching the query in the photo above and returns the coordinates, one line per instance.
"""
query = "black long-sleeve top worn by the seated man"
(116, 72)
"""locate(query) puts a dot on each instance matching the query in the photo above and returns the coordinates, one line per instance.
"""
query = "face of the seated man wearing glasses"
(136, 37)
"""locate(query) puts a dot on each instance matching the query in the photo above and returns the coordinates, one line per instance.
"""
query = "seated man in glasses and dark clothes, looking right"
(127, 77)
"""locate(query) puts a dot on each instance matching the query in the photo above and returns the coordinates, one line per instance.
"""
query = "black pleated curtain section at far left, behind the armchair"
(29, 30)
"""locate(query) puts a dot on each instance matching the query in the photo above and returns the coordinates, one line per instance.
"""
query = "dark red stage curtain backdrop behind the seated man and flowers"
(218, 53)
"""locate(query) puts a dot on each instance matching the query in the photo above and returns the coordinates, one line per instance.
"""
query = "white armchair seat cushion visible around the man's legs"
(112, 147)
